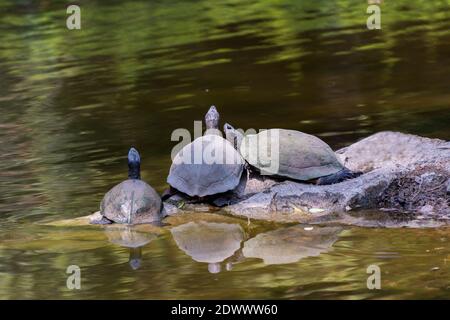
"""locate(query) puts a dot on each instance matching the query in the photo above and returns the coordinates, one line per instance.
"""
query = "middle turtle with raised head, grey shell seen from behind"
(208, 166)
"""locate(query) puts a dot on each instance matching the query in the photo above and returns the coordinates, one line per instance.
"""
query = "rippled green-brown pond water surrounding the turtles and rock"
(72, 102)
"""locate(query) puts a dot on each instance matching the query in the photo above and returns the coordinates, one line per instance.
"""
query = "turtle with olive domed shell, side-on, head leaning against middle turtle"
(293, 154)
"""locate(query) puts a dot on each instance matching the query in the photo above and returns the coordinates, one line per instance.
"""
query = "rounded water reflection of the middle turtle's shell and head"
(209, 242)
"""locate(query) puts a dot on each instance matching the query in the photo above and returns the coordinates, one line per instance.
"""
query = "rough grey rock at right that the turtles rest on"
(402, 173)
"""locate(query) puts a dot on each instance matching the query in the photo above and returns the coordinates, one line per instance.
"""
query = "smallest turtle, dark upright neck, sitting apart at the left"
(132, 201)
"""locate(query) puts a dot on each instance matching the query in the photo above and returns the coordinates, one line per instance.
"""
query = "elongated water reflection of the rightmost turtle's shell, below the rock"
(289, 245)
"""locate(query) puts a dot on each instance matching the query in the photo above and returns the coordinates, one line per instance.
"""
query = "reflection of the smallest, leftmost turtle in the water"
(132, 238)
